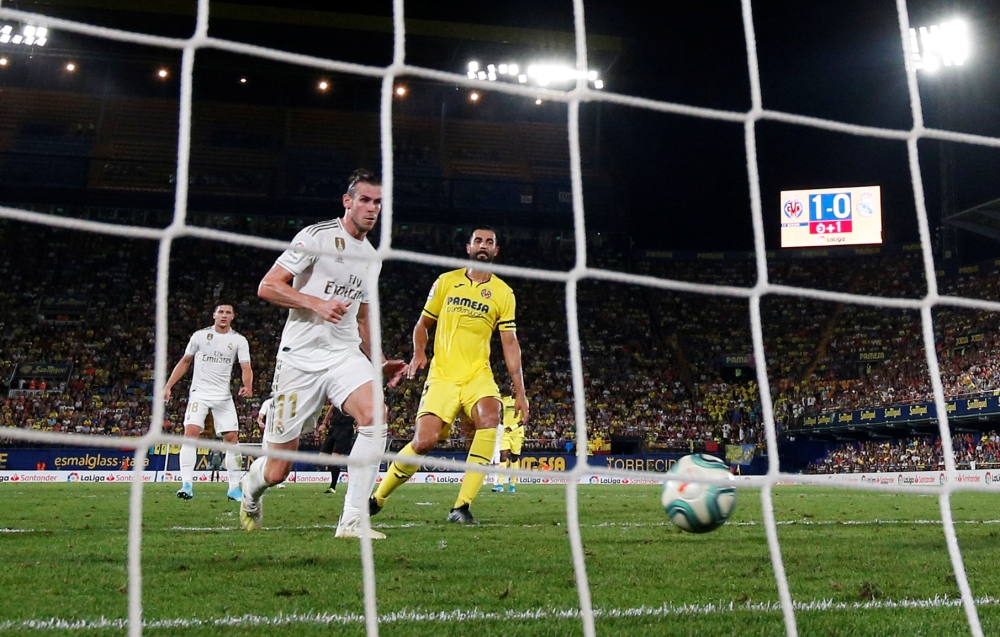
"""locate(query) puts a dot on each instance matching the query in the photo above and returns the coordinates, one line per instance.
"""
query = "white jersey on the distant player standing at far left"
(214, 354)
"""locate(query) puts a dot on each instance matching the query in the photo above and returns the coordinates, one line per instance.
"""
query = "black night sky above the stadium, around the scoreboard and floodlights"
(684, 178)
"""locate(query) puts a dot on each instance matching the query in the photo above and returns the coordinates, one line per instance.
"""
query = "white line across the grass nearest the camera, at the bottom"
(667, 610)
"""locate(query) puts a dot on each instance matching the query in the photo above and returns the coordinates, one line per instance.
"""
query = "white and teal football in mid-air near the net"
(698, 507)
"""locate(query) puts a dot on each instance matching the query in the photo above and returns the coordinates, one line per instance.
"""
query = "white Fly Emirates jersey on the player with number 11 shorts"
(308, 342)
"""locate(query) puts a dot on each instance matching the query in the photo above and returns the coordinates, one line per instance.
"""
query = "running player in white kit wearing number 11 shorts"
(324, 350)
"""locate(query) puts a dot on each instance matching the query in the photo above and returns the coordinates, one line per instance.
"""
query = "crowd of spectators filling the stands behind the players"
(668, 369)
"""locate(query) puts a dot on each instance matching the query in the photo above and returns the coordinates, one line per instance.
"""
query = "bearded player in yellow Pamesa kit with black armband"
(464, 307)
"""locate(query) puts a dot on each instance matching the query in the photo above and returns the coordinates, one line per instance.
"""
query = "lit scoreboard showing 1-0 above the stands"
(831, 216)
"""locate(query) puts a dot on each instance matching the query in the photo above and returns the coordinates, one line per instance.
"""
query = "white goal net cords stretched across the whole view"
(573, 98)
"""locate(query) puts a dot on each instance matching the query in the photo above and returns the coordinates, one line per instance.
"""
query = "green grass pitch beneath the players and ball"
(858, 564)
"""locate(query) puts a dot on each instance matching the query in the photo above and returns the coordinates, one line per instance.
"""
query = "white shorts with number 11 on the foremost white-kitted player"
(299, 395)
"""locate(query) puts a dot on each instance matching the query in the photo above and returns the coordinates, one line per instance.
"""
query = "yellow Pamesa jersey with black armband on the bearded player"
(467, 313)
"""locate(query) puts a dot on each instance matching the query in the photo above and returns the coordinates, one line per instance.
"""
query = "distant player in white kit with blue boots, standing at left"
(213, 351)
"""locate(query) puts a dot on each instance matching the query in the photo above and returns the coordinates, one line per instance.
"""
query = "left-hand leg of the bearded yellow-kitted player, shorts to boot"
(438, 407)
